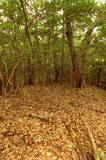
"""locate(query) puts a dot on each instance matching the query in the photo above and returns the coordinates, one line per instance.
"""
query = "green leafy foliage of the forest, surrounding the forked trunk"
(46, 27)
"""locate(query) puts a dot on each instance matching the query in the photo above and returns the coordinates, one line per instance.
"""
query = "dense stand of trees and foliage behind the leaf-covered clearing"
(59, 41)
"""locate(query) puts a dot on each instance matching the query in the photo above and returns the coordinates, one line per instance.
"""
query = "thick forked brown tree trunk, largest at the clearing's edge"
(78, 69)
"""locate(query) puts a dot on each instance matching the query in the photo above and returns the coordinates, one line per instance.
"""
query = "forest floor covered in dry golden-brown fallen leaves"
(44, 123)
